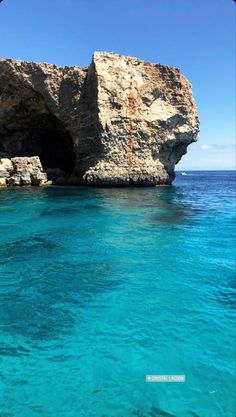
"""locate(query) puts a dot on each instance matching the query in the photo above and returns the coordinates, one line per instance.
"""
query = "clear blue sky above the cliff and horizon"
(197, 36)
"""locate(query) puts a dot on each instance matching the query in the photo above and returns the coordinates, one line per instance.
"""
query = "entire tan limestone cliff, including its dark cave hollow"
(122, 121)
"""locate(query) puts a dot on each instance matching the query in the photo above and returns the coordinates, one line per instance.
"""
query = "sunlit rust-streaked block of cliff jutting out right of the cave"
(146, 117)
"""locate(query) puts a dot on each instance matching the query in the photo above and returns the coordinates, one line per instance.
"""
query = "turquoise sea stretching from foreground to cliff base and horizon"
(100, 287)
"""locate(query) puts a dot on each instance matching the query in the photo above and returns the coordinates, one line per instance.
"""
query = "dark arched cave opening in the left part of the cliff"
(28, 128)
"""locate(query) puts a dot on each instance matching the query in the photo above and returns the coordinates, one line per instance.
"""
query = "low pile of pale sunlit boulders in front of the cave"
(22, 171)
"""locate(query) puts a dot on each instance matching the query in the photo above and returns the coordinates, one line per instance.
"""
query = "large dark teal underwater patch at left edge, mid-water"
(42, 305)
